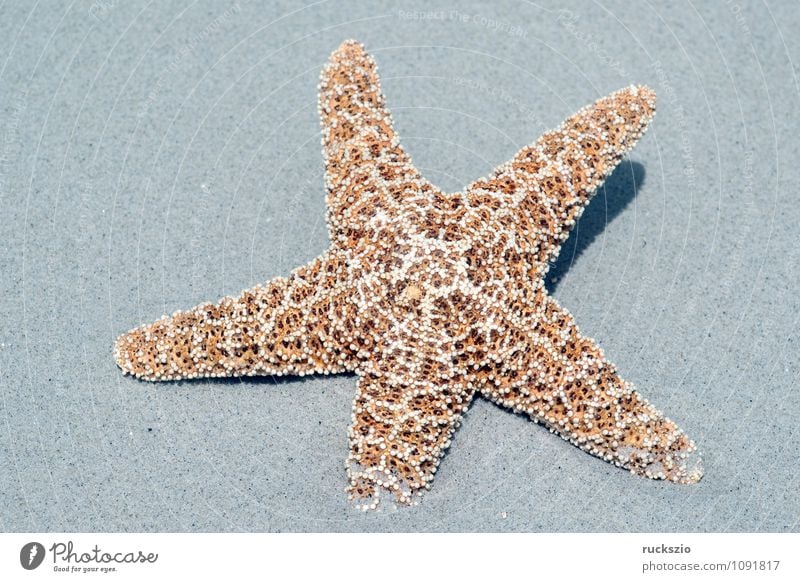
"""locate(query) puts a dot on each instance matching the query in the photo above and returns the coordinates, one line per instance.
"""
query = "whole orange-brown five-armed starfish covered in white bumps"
(433, 298)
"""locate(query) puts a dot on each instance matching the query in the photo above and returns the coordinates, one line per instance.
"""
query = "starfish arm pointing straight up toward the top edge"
(365, 166)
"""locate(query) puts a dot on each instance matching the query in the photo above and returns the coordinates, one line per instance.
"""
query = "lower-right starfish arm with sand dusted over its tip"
(560, 378)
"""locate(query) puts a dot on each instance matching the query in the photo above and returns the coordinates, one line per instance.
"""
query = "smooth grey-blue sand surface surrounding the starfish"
(158, 155)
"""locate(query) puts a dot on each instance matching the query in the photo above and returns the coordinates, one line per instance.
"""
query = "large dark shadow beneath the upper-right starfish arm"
(618, 191)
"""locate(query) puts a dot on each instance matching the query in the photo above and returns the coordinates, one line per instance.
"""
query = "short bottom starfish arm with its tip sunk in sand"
(402, 425)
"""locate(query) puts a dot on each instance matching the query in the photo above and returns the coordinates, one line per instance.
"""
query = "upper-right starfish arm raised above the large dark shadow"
(552, 180)
